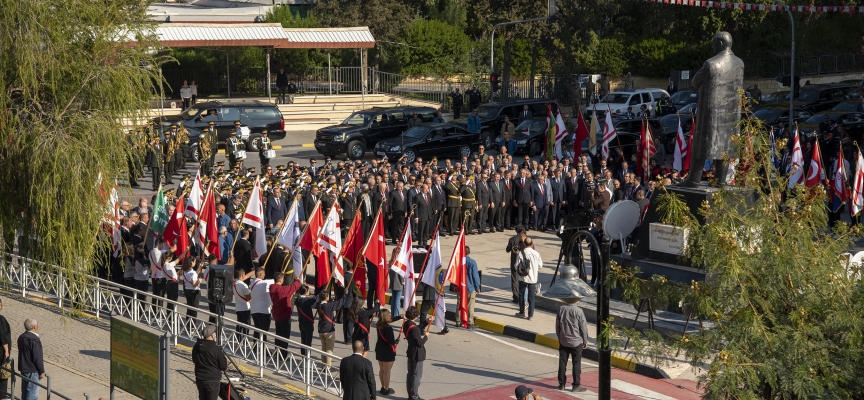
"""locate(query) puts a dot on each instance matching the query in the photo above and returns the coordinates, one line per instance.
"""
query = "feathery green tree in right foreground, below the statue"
(787, 311)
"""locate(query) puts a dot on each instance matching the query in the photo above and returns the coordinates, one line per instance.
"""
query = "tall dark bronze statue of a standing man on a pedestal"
(718, 112)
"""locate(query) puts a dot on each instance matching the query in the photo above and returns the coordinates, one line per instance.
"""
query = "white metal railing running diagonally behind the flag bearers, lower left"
(91, 294)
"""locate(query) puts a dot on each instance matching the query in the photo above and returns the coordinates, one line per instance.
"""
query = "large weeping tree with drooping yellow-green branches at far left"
(71, 72)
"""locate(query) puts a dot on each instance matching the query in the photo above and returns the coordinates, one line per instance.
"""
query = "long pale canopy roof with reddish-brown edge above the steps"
(263, 35)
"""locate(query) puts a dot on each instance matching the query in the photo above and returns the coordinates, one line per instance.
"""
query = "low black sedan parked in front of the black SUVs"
(430, 140)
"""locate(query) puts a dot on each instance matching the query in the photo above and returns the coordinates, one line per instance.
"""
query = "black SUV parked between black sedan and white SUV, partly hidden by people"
(492, 115)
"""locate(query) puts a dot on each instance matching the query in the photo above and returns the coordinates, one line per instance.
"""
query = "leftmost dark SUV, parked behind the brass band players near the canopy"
(254, 117)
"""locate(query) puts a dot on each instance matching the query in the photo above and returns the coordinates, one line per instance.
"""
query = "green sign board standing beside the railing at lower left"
(135, 358)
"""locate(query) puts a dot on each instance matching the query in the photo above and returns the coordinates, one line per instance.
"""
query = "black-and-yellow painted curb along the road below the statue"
(552, 343)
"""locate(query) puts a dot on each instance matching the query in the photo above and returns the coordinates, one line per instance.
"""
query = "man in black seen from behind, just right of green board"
(210, 362)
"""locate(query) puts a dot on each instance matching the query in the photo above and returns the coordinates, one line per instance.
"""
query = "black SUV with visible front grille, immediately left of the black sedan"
(362, 130)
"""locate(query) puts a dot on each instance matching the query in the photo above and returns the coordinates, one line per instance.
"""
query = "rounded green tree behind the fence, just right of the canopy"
(434, 47)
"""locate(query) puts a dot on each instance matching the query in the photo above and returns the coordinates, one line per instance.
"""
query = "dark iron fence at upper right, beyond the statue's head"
(769, 68)
